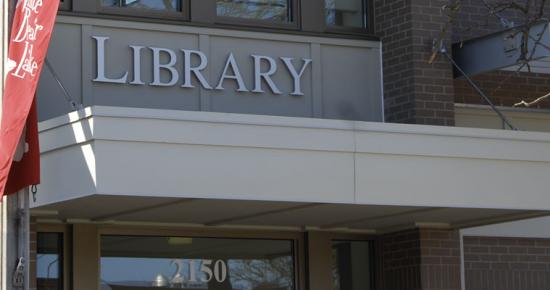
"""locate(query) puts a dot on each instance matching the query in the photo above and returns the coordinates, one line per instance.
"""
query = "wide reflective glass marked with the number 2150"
(140, 262)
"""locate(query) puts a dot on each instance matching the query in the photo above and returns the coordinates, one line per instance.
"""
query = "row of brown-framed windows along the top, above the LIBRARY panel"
(289, 16)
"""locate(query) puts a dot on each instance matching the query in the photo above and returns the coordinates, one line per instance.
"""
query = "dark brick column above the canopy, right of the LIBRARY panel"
(415, 91)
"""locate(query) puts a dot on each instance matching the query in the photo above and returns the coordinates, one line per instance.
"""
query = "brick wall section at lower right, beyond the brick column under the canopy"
(506, 263)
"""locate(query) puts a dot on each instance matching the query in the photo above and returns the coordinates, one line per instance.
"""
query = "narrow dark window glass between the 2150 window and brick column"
(352, 265)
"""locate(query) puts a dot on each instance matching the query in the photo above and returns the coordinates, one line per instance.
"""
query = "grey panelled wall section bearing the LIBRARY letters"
(181, 68)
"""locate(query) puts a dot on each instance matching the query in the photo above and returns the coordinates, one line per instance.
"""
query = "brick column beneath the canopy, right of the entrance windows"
(419, 259)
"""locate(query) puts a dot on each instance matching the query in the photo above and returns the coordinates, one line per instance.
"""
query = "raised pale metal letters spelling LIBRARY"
(164, 60)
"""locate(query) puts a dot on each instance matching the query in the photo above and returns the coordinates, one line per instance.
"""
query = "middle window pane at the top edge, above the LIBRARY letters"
(270, 10)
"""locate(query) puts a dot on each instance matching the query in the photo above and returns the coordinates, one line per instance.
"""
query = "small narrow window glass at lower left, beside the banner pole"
(49, 261)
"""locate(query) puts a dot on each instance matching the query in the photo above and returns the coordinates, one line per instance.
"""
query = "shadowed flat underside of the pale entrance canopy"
(270, 214)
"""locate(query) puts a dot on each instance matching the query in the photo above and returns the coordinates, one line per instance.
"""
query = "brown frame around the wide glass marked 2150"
(297, 239)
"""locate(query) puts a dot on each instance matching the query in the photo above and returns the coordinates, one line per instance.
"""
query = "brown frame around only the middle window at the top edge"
(294, 24)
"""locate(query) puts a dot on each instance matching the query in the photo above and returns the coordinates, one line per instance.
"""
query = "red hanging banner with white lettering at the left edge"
(32, 27)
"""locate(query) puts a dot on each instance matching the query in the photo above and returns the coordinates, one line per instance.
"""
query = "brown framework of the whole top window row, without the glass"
(308, 18)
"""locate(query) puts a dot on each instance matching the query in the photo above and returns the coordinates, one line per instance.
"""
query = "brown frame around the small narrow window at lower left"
(63, 230)
